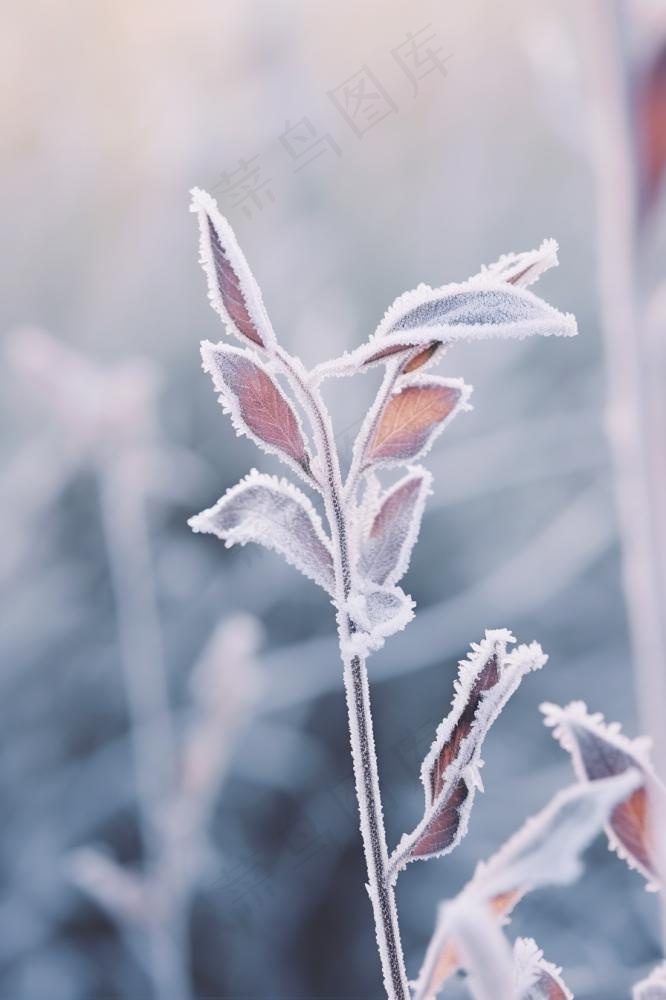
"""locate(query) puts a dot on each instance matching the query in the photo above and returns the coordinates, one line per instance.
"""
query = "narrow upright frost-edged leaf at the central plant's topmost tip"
(232, 289)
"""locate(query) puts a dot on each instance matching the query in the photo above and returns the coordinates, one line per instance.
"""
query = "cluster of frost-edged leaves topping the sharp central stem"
(399, 428)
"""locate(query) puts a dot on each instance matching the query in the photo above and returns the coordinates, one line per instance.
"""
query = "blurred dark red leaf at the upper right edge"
(650, 97)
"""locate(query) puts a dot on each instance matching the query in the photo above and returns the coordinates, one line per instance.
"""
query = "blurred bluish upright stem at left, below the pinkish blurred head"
(151, 733)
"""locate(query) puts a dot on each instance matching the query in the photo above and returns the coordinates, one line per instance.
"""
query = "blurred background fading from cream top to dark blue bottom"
(113, 112)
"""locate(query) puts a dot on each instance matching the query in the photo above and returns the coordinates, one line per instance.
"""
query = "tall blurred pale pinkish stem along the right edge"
(631, 430)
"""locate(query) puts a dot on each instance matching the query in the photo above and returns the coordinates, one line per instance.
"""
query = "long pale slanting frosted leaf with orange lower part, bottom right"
(546, 850)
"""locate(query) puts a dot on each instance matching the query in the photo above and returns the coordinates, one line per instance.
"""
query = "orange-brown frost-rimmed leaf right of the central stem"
(418, 410)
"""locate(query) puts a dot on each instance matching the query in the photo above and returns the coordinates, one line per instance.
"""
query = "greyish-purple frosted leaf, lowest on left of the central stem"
(276, 514)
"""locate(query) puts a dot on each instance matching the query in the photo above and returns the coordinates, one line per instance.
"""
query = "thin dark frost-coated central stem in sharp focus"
(364, 757)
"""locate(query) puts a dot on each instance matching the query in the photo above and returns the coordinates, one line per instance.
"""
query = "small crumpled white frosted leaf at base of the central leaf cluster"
(377, 612)
